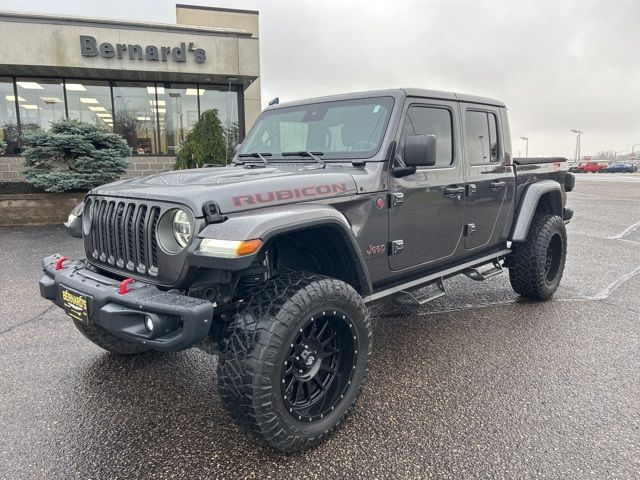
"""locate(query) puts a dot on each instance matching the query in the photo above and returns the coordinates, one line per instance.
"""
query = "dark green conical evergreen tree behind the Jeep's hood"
(205, 144)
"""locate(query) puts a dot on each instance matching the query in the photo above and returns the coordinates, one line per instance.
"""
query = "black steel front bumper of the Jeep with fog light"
(183, 321)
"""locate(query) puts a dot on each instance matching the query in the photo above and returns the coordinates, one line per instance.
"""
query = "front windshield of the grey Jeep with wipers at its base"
(335, 130)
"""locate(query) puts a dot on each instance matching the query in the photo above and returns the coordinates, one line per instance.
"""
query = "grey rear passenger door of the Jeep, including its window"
(486, 175)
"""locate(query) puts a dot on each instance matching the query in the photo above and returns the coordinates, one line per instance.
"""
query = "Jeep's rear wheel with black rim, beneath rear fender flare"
(536, 265)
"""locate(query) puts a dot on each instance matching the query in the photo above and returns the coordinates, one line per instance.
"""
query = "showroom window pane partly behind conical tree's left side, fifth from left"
(177, 116)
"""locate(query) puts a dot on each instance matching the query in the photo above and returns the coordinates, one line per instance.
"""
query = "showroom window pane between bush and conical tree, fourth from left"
(136, 110)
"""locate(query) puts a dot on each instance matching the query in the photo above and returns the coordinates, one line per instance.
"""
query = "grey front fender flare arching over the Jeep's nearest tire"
(266, 224)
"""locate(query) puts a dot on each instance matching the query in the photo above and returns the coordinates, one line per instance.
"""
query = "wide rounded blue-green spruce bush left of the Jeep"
(74, 155)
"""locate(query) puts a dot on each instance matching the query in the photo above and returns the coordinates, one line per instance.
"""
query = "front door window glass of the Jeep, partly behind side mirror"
(430, 121)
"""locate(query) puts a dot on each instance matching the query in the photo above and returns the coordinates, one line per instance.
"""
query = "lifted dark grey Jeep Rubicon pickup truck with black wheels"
(330, 204)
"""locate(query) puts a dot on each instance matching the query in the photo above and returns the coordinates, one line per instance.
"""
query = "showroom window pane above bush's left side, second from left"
(41, 101)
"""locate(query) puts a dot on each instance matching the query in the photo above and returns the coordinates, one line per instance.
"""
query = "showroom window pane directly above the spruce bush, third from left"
(90, 101)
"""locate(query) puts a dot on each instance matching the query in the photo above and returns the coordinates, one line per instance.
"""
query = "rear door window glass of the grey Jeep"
(482, 137)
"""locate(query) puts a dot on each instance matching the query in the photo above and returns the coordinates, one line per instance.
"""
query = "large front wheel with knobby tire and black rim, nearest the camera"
(294, 359)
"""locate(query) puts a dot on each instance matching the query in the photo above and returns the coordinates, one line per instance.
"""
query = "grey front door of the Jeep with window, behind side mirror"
(426, 215)
